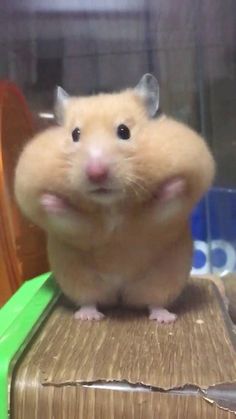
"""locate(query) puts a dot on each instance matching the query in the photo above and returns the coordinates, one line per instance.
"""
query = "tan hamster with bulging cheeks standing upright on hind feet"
(113, 186)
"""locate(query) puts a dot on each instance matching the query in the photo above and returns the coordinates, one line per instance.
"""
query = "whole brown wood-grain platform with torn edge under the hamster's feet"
(126, 347)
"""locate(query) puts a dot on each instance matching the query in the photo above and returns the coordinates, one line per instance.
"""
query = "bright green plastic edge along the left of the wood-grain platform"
(19, 320)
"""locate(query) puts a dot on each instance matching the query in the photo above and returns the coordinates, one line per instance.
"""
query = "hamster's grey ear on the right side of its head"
(148, 90)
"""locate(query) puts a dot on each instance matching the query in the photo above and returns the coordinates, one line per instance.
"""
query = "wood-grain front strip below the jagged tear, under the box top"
(82, 403)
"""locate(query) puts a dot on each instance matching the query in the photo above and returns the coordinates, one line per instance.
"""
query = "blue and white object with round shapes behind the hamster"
(213, 225)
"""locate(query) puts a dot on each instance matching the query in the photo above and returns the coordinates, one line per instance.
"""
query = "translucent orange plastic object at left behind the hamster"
(22, 245)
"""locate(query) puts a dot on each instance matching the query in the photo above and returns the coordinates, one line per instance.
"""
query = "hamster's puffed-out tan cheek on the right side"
(170, 150)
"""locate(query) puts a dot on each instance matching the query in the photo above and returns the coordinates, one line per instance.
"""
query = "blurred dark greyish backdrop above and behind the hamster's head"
(89, 46)
